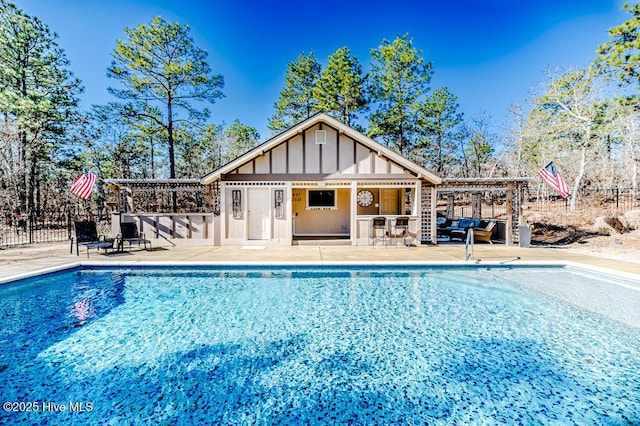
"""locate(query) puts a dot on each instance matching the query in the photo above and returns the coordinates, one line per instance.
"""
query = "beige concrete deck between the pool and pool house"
(19, 262)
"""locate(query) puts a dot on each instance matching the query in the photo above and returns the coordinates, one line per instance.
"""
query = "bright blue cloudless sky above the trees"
(488, 53)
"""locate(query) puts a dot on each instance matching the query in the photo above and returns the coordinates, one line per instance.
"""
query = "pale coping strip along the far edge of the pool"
(478, 263)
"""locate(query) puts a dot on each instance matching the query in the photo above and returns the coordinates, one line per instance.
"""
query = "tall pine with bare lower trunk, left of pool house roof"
(163, 73)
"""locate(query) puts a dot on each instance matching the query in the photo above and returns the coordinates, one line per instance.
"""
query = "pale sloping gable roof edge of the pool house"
(383, 151)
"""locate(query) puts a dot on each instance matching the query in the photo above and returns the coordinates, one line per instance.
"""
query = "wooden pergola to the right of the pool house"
(476, 187)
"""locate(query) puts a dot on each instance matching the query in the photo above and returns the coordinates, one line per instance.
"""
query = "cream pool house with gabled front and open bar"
(321, 180)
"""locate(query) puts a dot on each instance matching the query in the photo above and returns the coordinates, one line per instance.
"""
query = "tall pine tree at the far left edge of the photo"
(38, 98)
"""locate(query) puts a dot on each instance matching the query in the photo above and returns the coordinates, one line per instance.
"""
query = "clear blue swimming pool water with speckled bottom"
(320, 345)
